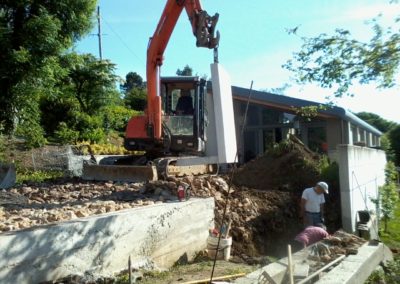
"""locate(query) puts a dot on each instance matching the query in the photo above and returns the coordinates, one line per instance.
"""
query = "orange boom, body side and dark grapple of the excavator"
(149, 127)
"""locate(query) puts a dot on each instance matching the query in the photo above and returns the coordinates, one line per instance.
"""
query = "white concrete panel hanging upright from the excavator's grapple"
(223, 112)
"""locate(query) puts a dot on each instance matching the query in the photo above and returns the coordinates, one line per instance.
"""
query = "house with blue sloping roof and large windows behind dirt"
(271, 118)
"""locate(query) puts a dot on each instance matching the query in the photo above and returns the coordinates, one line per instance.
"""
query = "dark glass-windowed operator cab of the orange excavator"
(183, 111)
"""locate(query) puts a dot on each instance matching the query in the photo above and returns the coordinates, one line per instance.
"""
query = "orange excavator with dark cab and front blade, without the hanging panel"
(149, 132)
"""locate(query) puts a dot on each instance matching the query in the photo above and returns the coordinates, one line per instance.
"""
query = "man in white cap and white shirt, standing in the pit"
(312, 204)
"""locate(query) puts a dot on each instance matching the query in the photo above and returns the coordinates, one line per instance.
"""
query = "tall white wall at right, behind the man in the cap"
(362, 171)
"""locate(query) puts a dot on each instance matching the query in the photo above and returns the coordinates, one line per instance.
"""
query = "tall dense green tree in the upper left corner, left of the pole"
(32, 35)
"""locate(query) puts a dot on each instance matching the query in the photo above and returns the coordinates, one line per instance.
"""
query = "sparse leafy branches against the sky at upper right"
(337, 61)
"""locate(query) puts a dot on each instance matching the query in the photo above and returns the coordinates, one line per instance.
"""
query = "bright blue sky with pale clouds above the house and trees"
(254, 42)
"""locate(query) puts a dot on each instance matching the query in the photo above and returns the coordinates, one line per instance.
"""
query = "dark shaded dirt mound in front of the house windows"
(288, 166)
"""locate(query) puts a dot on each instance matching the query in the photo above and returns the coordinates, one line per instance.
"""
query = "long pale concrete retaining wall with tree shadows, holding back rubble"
(101, 244)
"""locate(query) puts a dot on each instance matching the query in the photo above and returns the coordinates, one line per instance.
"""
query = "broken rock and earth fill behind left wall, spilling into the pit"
(257, 216)
